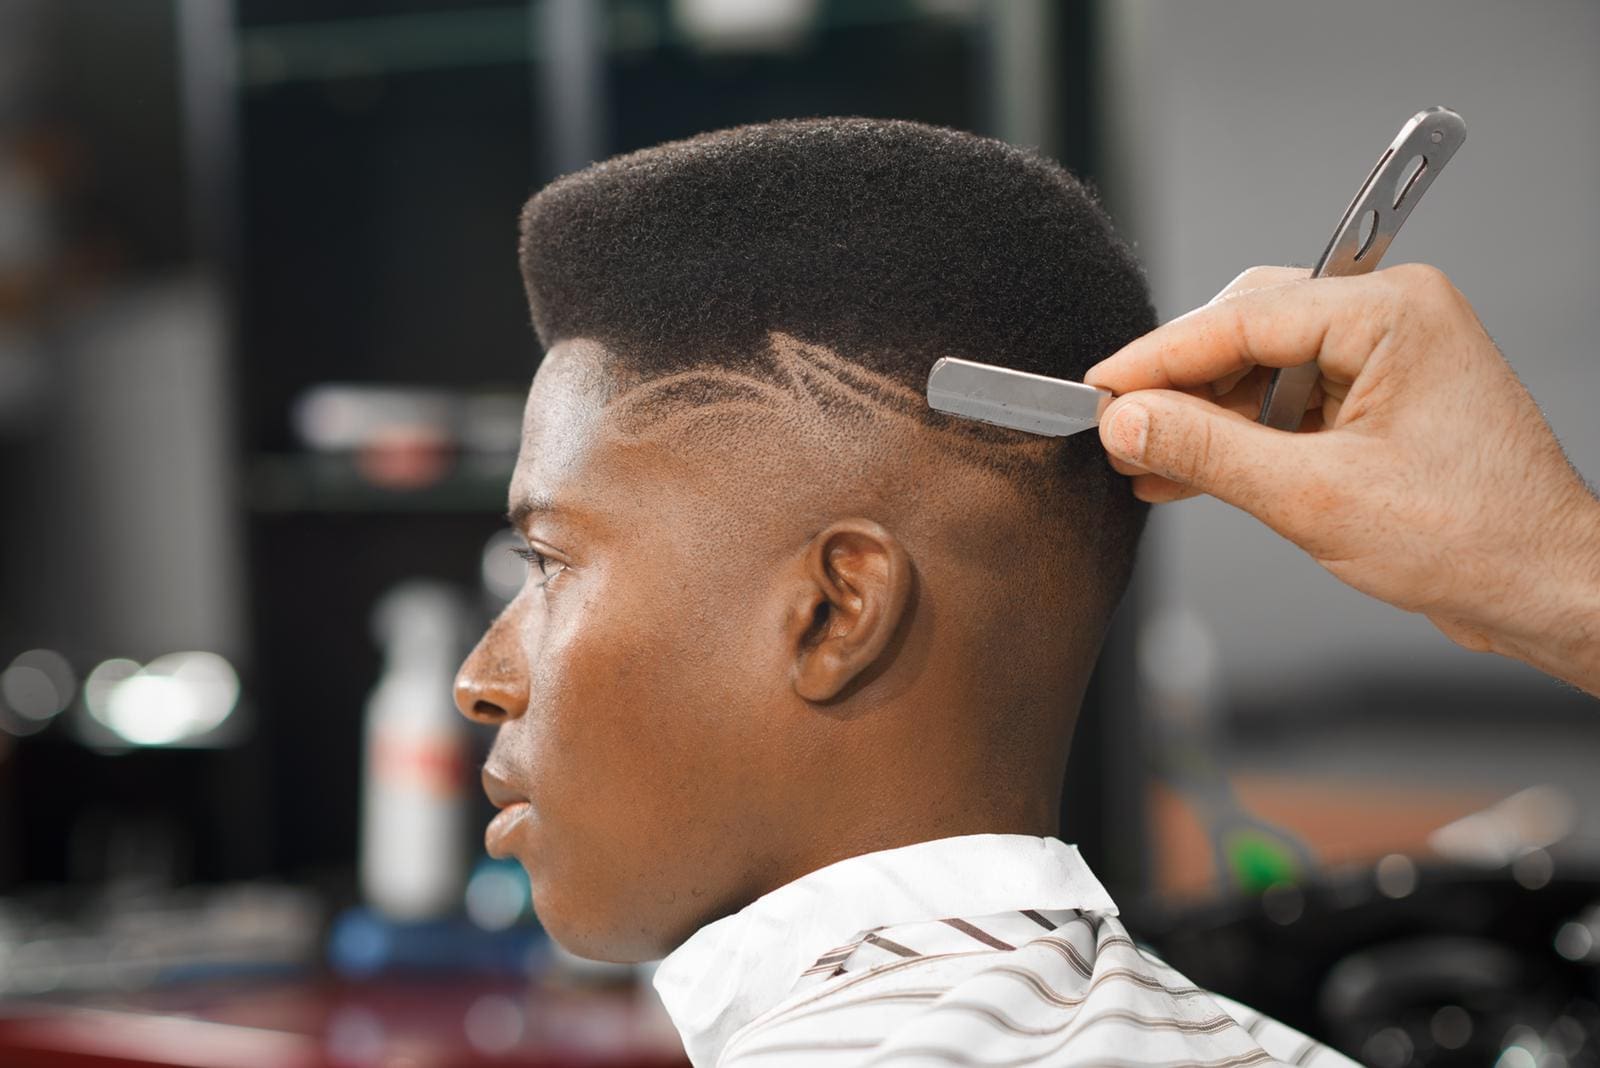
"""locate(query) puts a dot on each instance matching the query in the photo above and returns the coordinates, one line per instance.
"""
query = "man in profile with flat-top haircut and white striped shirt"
(791, 685)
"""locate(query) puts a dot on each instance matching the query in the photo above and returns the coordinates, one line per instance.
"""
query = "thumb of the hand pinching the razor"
(1217, 452)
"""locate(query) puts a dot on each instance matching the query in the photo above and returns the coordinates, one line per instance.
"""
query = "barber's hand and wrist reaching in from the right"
(1423, 474)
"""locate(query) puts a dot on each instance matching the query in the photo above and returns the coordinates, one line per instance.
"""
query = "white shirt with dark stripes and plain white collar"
(985, 950)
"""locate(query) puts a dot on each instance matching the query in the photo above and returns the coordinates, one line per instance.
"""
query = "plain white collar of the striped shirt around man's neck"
(735, 970)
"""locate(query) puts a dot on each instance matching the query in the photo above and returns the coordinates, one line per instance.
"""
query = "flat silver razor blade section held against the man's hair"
(1020, 400)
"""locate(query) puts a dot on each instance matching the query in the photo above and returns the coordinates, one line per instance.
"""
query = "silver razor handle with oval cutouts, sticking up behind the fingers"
(1382, 207)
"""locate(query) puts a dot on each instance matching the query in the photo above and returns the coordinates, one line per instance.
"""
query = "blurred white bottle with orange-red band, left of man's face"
(415, 803)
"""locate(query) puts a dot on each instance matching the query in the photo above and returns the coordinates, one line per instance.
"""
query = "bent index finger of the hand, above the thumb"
(1334, 321)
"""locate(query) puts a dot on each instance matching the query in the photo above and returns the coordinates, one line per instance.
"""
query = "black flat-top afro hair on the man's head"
(892, 244)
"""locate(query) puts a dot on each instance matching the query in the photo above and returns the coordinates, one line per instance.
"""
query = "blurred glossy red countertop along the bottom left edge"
(343, 1026)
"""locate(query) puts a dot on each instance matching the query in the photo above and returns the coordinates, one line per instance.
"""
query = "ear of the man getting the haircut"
(857, 583)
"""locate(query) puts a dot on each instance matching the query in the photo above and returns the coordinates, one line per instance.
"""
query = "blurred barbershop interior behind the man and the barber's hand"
(265, 353)
